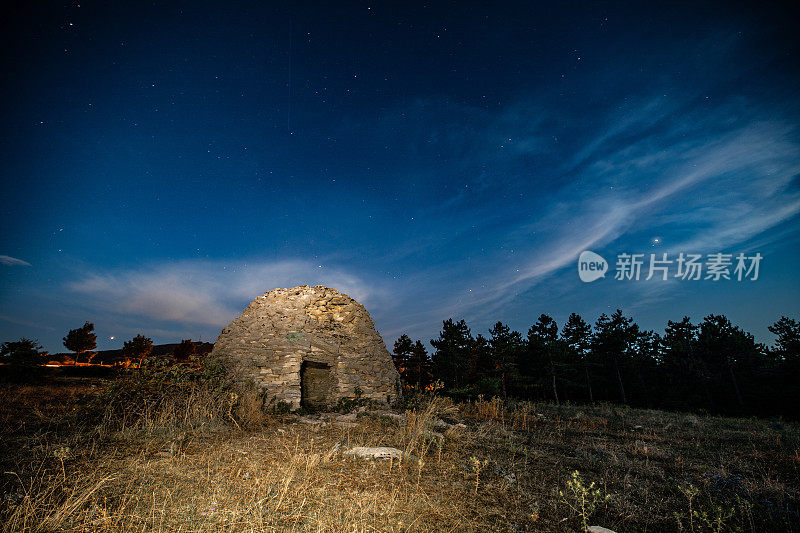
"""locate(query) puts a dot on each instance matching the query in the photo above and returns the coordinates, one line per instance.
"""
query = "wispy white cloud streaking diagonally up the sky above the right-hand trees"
(709, 179)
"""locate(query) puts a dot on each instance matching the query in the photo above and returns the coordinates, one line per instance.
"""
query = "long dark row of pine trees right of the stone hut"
(713, 366)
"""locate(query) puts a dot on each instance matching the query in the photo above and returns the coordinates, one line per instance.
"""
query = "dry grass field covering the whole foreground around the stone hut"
(76, 457)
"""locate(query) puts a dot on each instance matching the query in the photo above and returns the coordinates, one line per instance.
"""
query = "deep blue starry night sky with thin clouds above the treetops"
(163, 163)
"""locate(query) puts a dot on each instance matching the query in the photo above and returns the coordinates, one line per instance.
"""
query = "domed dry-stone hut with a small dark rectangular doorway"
(309, 346)
